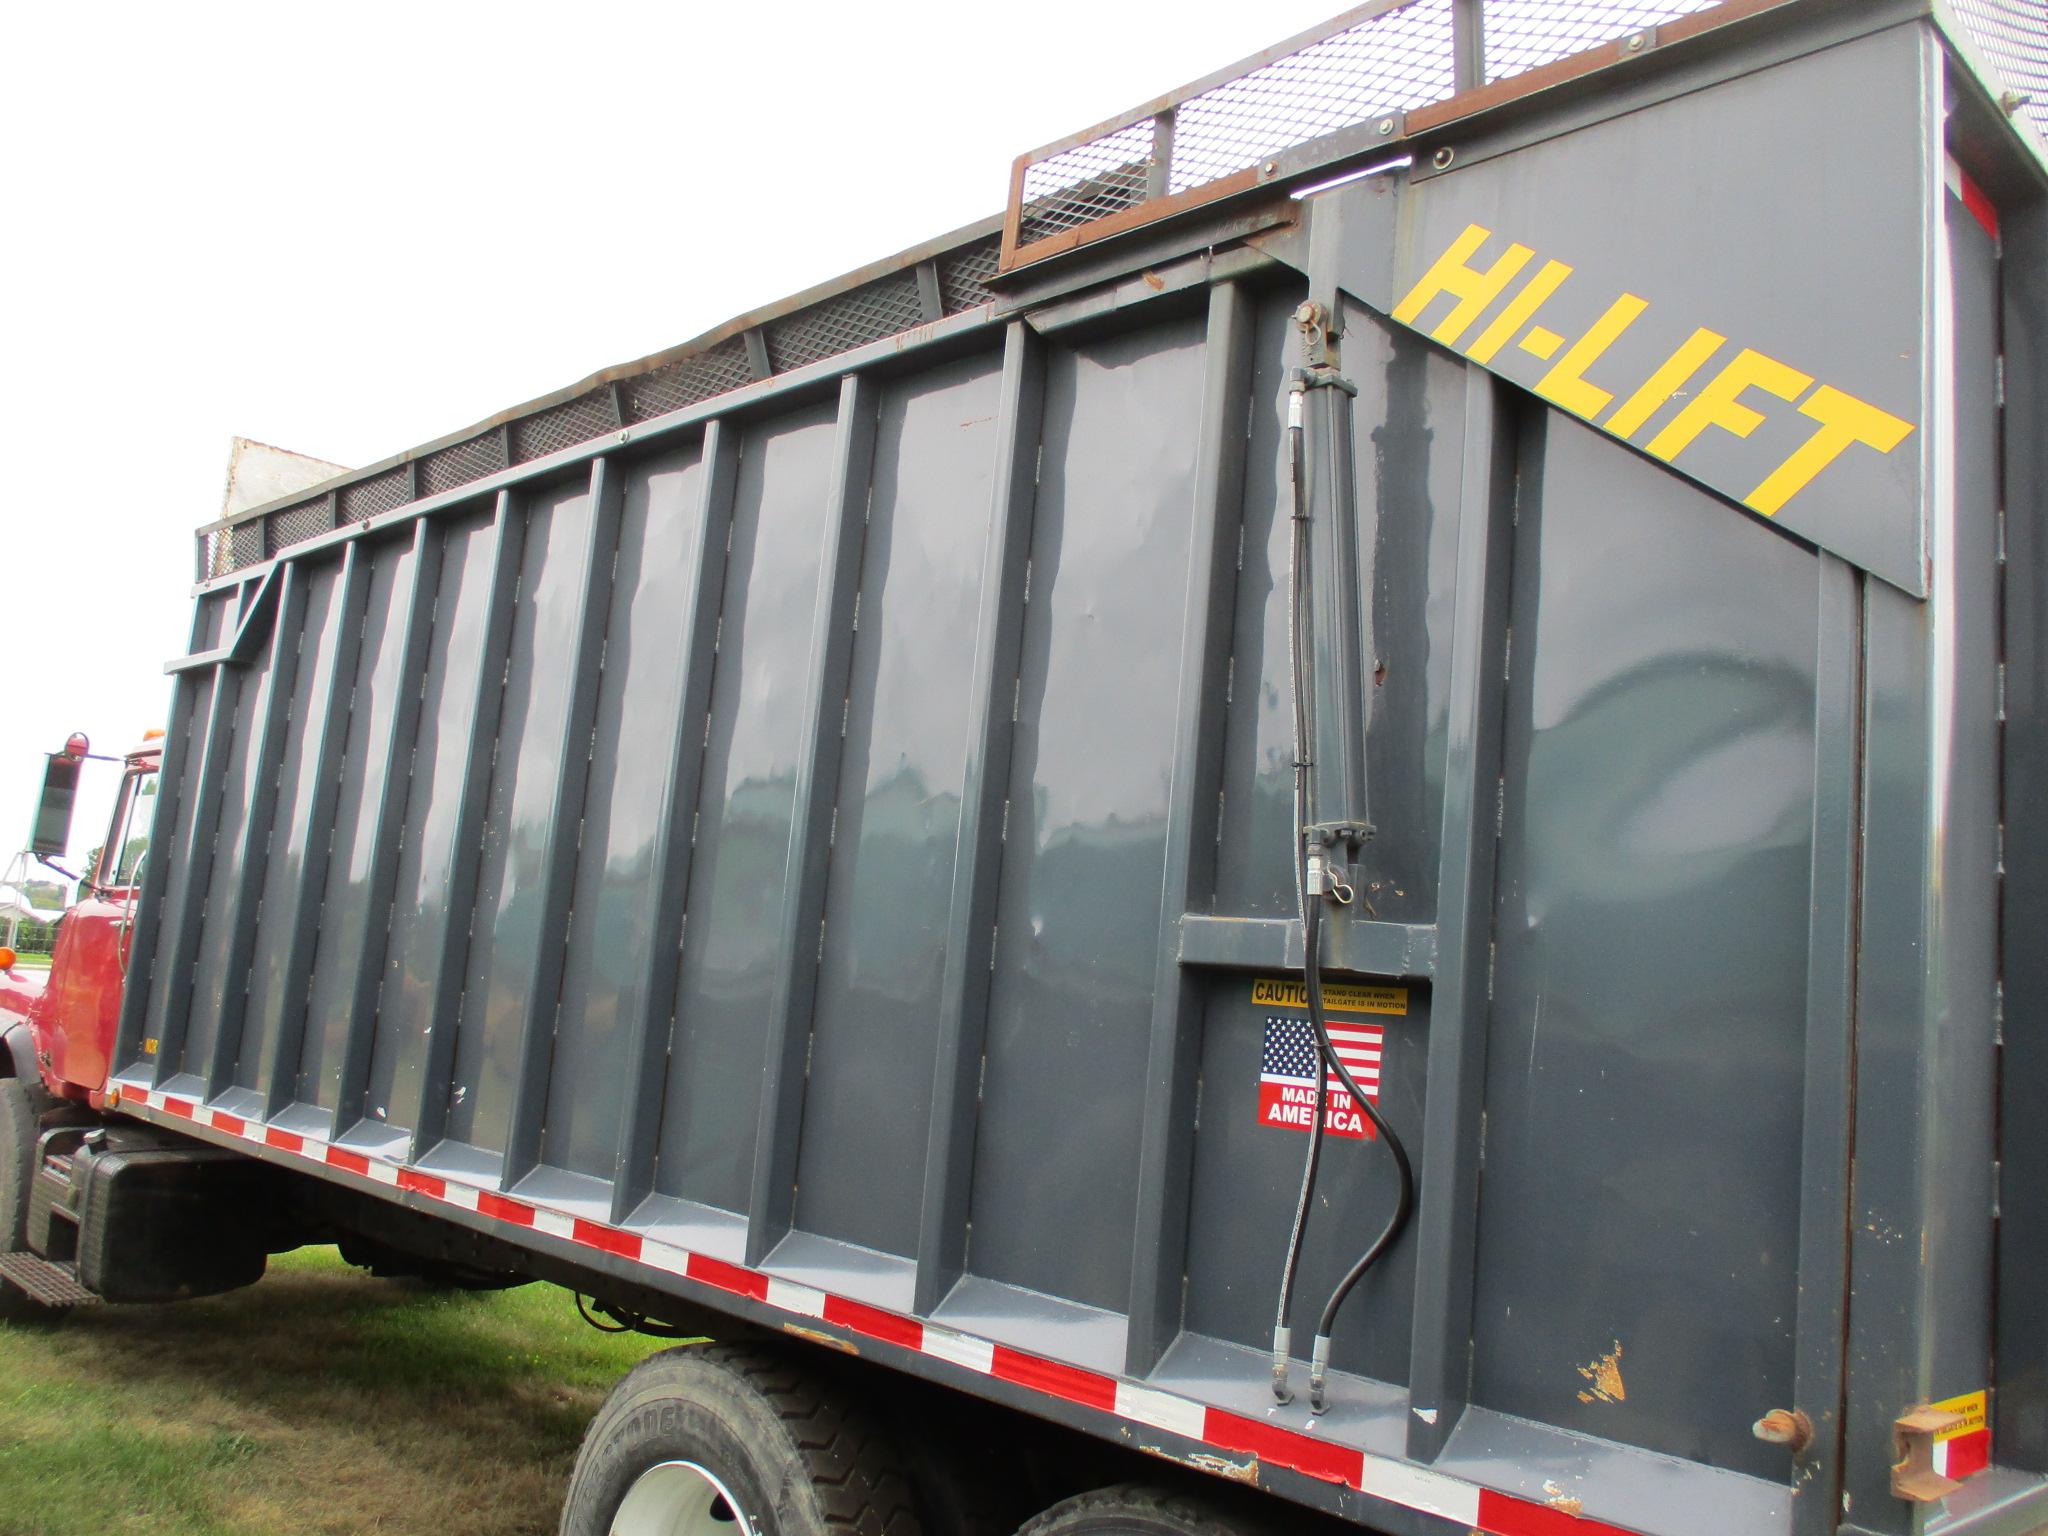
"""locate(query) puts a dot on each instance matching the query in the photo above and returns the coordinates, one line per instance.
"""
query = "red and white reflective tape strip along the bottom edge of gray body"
(1381, 1478)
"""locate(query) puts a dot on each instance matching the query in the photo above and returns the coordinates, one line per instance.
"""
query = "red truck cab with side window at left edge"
(60, 1029)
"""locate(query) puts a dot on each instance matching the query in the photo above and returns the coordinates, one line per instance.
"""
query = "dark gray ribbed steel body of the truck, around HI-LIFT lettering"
(841, 828)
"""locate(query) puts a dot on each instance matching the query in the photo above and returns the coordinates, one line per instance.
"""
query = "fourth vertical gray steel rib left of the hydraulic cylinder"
(652, 1002)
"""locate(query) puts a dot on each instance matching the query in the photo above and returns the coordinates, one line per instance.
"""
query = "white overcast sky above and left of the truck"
(347, 230)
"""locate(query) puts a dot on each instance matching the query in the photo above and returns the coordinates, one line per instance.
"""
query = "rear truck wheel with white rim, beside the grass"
(734, 1441)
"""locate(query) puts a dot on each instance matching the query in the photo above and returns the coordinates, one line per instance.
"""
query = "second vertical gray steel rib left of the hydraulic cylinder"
(980, 851)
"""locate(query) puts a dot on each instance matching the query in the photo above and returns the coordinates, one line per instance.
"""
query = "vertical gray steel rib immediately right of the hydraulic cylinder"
(1447, 1213)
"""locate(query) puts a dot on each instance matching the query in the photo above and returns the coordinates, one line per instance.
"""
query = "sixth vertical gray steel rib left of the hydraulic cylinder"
(450, 941)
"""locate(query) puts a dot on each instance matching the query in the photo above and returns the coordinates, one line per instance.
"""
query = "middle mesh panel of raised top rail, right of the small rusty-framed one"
(1388, 65)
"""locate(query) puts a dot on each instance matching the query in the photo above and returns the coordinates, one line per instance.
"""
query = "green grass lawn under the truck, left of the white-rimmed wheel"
(314, 1402)
